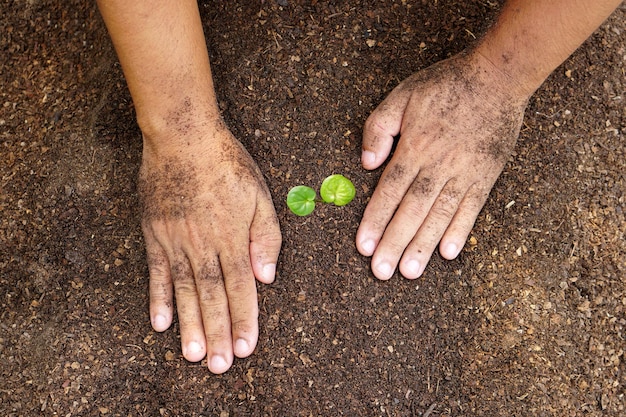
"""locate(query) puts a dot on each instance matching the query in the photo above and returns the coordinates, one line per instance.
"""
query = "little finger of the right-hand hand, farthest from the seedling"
(461, 225)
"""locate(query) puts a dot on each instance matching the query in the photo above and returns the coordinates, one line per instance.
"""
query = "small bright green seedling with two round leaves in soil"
(335, 189)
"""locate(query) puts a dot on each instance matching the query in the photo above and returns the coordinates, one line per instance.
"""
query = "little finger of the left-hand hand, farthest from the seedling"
(161, 290)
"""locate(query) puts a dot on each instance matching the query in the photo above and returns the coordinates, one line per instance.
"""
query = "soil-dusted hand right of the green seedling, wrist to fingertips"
(457, 122)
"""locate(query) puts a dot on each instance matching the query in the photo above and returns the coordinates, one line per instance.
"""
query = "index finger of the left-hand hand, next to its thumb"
(242, 300)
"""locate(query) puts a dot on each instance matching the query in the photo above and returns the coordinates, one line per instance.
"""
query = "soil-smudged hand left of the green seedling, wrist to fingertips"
(210, 229)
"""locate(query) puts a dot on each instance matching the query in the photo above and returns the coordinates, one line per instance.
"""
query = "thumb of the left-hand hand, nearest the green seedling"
(265, 241)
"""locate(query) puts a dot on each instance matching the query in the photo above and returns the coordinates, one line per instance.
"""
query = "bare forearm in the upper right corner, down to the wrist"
(531, 38)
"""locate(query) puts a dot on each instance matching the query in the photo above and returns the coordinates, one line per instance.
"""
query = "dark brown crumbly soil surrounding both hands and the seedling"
(528, 321)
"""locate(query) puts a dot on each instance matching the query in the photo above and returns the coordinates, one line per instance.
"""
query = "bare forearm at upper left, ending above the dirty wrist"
(162, 49)
